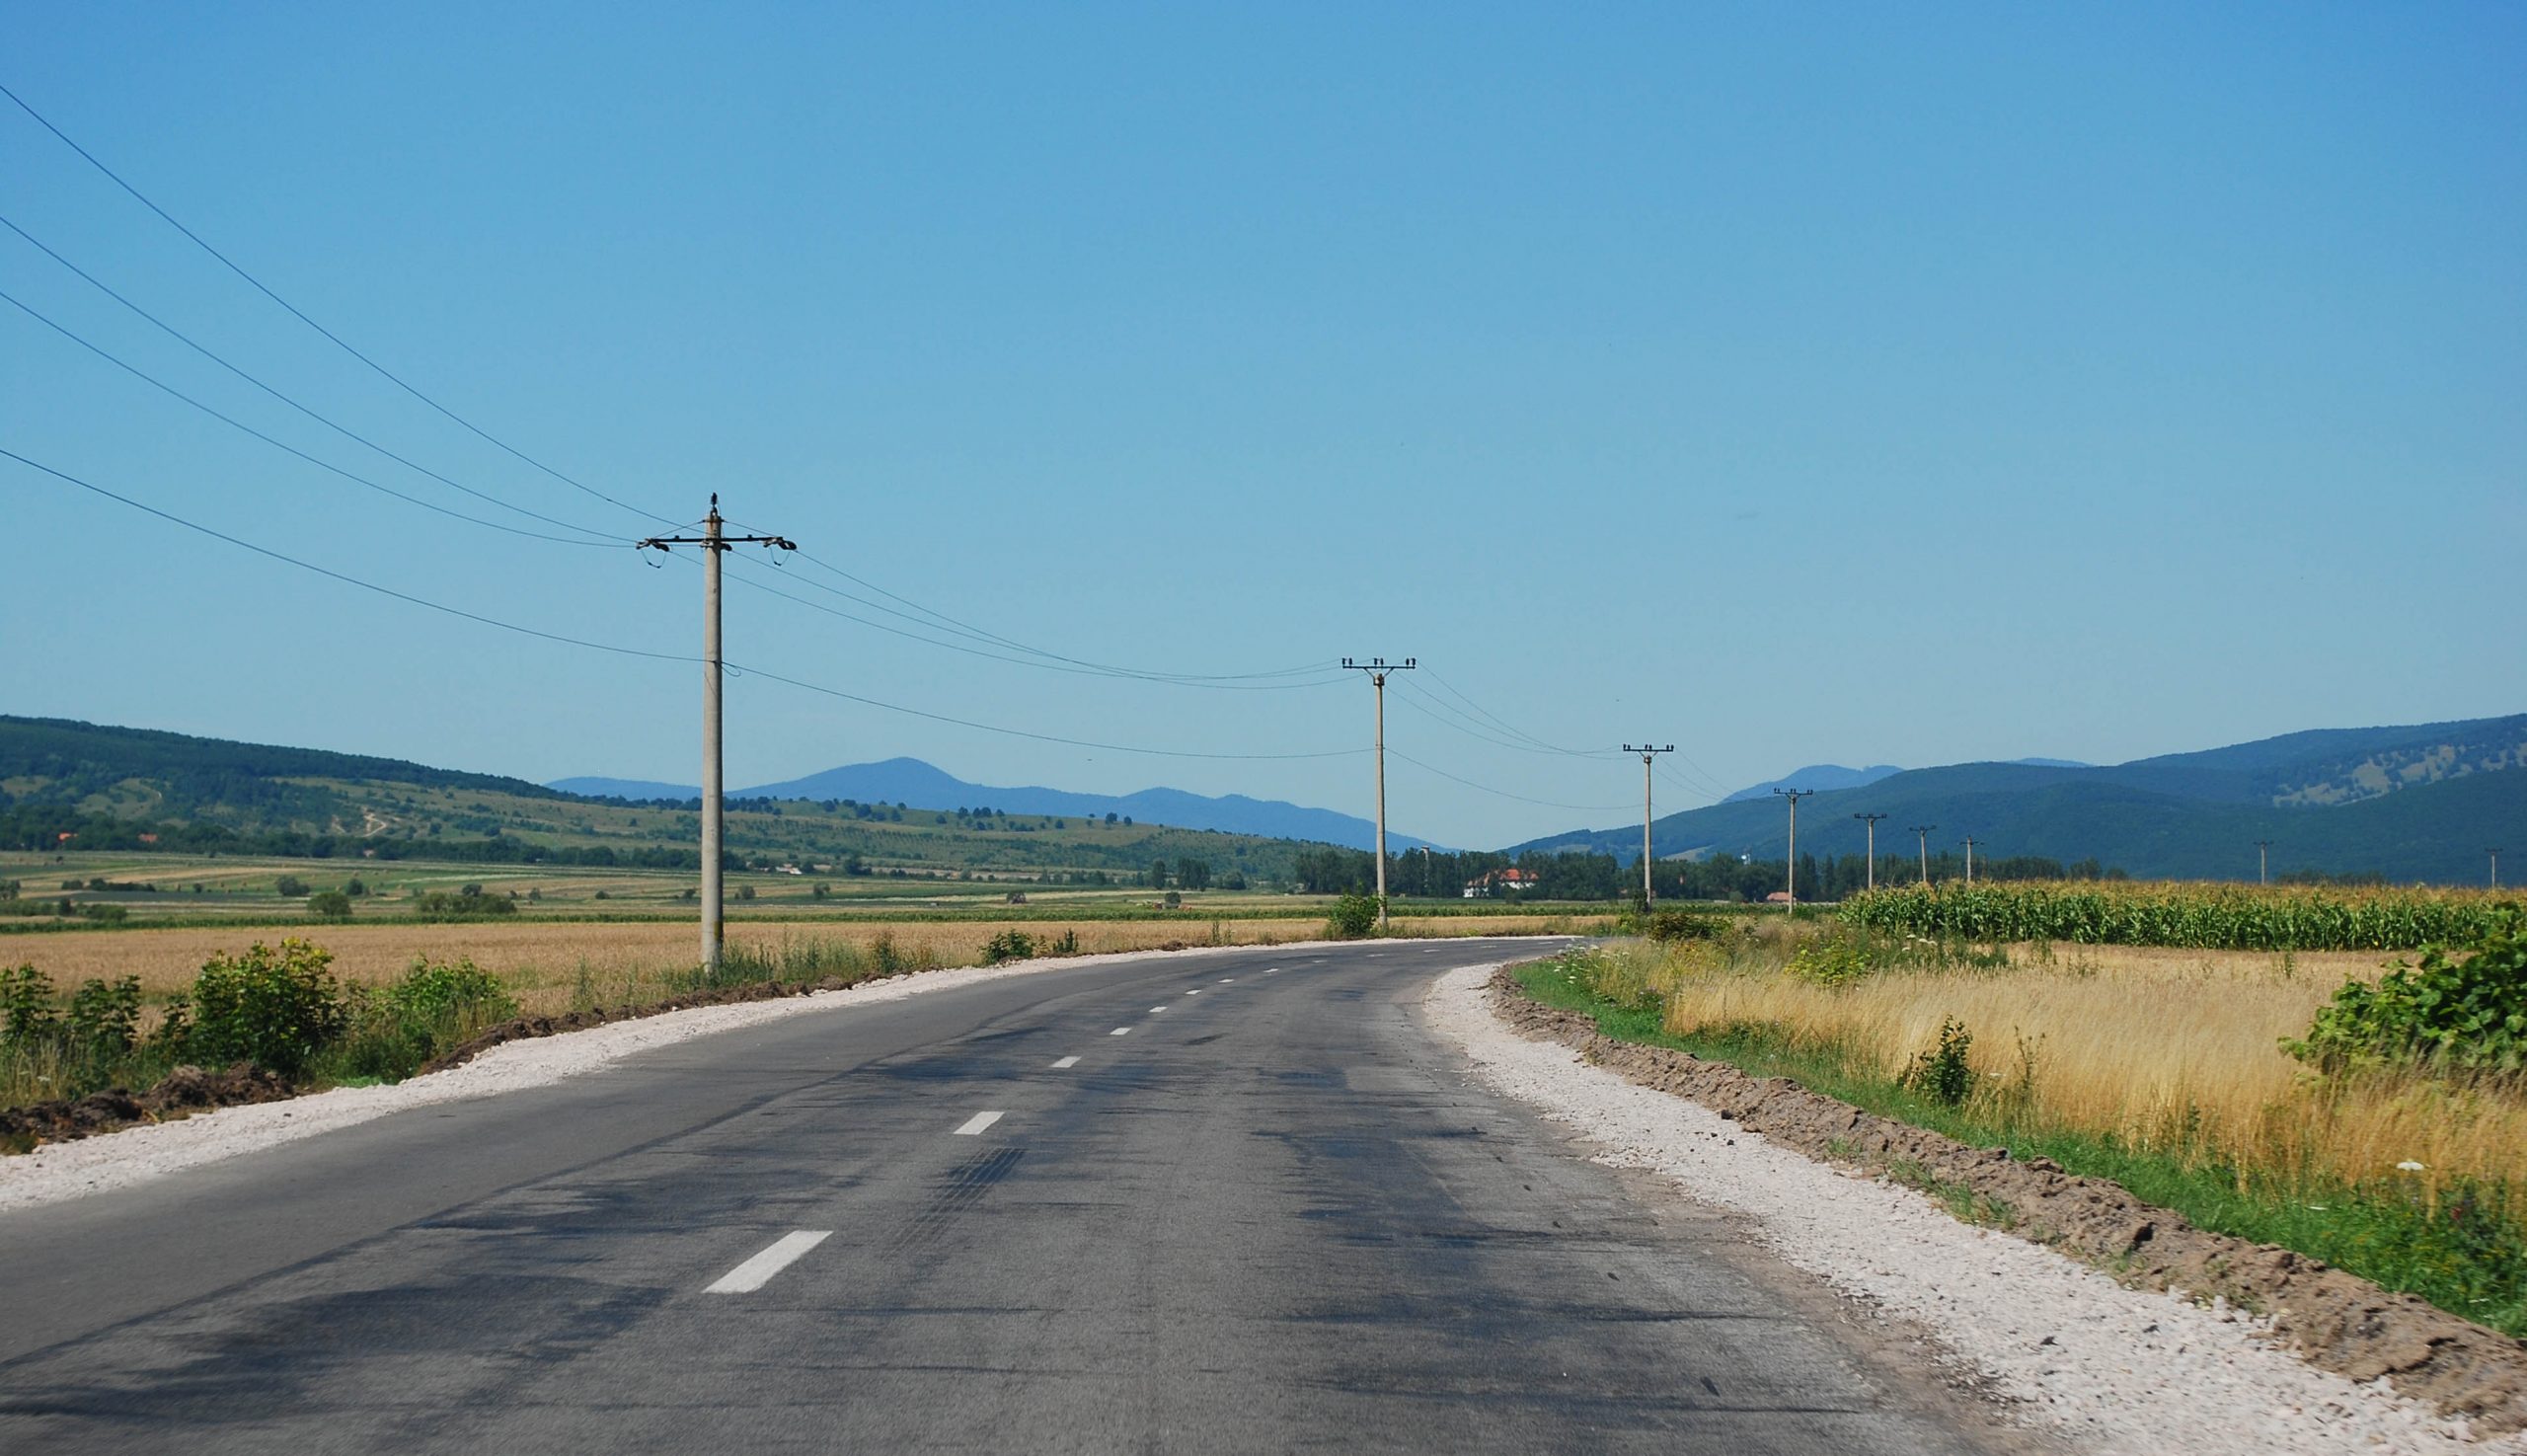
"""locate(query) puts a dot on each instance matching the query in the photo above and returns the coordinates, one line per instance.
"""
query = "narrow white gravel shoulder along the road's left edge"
(138, 1154)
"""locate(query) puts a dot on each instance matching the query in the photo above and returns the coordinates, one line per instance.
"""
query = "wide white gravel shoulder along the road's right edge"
(2081, 1356)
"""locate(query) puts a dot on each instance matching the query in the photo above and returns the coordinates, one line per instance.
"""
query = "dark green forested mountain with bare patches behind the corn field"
(2417, 803)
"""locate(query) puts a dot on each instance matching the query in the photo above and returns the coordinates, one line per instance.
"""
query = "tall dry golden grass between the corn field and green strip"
(2167, 1050)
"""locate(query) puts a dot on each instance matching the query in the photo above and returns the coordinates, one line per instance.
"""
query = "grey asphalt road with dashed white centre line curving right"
(1227, 1202)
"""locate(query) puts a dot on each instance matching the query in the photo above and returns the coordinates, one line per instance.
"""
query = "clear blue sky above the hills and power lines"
(1793, 385)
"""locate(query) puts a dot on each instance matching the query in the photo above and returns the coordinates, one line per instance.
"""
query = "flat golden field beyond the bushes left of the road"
(552, 964)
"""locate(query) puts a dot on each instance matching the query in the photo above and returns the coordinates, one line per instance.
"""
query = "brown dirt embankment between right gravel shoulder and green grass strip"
(2336, 1321)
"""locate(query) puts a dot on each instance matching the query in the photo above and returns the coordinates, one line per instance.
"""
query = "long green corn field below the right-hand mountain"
(2185, 916)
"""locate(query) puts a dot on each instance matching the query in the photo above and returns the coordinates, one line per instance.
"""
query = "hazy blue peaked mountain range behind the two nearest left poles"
(926, 787)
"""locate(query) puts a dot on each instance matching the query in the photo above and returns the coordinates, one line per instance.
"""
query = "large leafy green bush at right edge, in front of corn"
(2450, 1015)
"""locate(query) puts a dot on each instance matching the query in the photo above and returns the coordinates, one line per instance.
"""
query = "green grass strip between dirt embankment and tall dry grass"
(2468, 1255)
